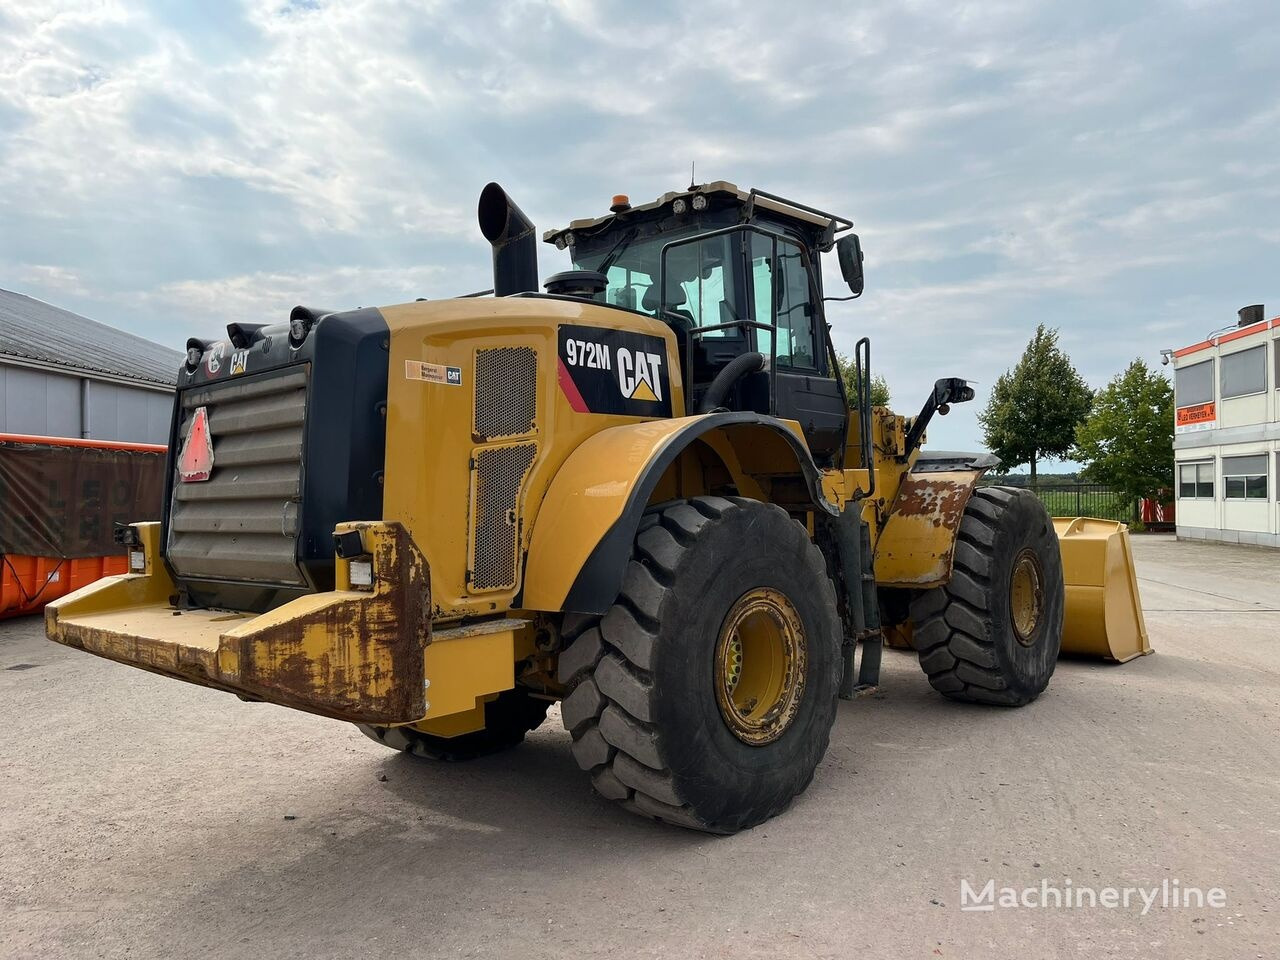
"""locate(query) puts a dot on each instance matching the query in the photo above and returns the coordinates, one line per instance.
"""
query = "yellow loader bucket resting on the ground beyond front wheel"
(1104, 611)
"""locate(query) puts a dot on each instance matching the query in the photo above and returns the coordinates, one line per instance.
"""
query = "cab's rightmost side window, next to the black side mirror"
(780, 281)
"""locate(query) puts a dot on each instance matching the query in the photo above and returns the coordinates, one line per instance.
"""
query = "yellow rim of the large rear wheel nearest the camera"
(761, 660)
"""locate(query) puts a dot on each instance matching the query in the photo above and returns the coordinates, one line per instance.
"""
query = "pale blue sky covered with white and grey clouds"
(1108, 168)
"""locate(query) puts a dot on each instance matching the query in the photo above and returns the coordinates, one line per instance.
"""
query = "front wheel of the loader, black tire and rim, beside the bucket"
(994, 632)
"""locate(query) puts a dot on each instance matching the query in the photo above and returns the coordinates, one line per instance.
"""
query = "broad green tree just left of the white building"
(1128, 440)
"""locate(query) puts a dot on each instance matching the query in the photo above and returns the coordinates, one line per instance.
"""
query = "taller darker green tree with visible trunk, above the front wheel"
(1035, 408)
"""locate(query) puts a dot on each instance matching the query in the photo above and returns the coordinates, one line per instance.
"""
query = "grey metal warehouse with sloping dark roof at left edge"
(66, 376)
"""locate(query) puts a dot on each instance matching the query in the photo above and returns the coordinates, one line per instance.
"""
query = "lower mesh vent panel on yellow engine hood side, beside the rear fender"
(496, 481)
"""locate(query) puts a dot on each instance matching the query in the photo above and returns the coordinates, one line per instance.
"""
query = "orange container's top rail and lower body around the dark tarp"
(29, 583)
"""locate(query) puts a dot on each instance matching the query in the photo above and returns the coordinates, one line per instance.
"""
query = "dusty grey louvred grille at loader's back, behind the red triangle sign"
(243, 524)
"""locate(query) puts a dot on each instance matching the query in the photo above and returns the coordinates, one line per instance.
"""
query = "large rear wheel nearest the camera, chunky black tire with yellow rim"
(706, 697)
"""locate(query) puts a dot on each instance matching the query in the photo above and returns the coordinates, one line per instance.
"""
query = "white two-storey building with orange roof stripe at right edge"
(1227, 431)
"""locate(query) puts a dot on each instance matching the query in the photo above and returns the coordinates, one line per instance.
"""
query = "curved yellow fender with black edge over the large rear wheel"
(588, 522)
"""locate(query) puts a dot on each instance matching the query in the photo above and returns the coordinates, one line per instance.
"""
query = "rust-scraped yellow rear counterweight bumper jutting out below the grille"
(346, 655)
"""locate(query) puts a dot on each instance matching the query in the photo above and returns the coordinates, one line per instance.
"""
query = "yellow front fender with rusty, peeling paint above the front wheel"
(917, 545)
